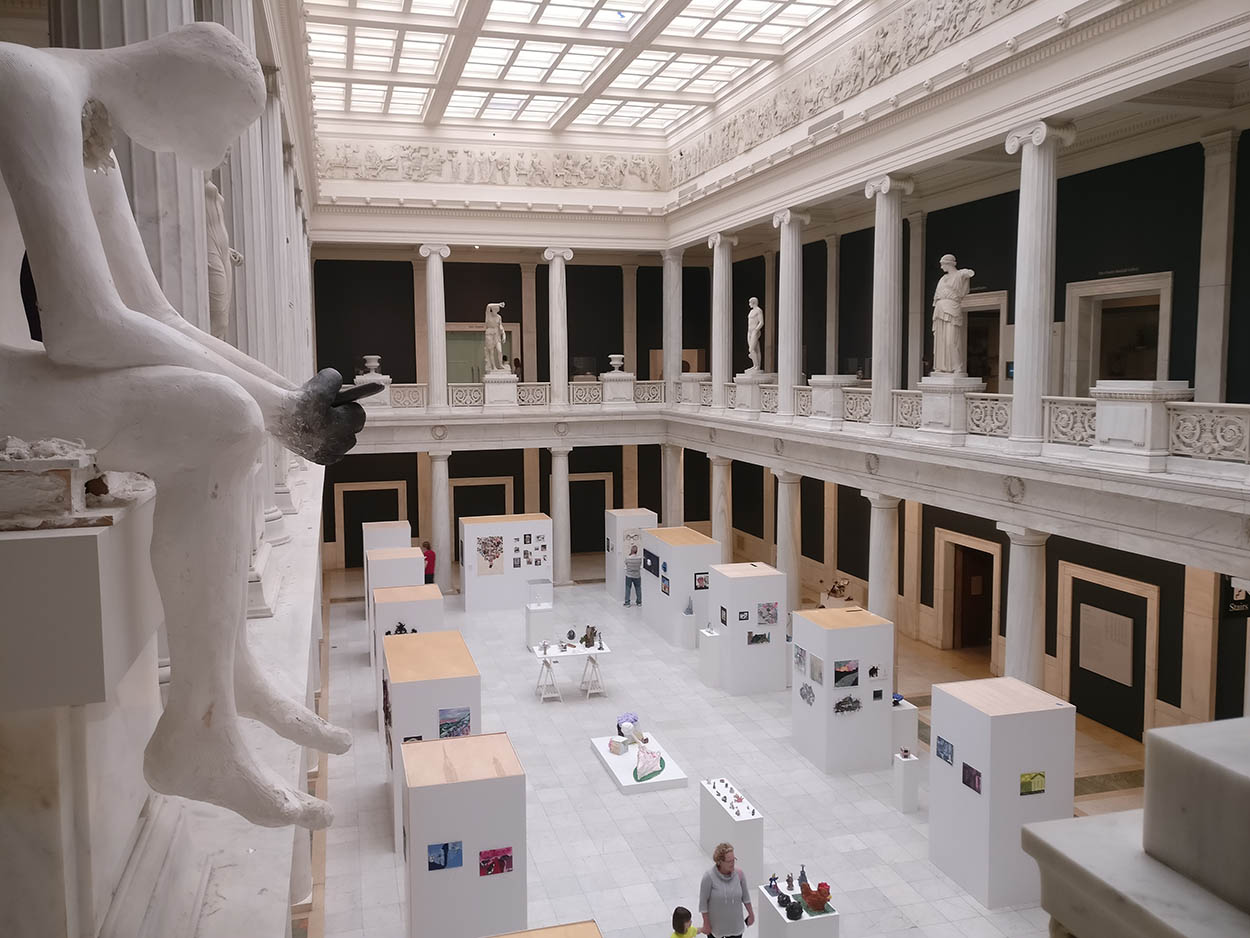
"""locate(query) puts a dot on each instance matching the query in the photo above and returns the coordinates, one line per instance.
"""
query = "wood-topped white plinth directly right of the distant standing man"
(672, 561)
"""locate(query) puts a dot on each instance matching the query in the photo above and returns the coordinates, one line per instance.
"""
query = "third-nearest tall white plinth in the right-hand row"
(753, 600)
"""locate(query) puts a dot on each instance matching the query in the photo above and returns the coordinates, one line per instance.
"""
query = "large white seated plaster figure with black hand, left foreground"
(122, 371)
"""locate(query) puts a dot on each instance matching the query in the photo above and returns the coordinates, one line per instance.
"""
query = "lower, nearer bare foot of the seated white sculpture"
(211, 764)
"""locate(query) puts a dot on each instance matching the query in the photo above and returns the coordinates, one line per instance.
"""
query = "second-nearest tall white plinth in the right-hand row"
(842, 696)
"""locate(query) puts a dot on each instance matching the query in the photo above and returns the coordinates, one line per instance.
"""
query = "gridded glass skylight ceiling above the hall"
(637, 66)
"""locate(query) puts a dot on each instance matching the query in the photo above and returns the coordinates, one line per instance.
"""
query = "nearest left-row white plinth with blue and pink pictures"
(466, 805)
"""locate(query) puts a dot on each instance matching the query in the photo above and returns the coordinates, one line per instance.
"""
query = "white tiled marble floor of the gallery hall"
(628, 861)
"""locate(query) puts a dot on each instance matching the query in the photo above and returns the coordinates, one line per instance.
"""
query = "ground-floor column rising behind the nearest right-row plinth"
(1027, 606)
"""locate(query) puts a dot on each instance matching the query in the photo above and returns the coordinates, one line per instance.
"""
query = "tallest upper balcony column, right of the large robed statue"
(1036, 276)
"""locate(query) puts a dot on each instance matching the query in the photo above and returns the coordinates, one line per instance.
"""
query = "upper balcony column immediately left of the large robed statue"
(887, 296)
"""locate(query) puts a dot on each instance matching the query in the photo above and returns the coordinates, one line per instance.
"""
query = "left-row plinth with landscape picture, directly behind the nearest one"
(429, 680)
